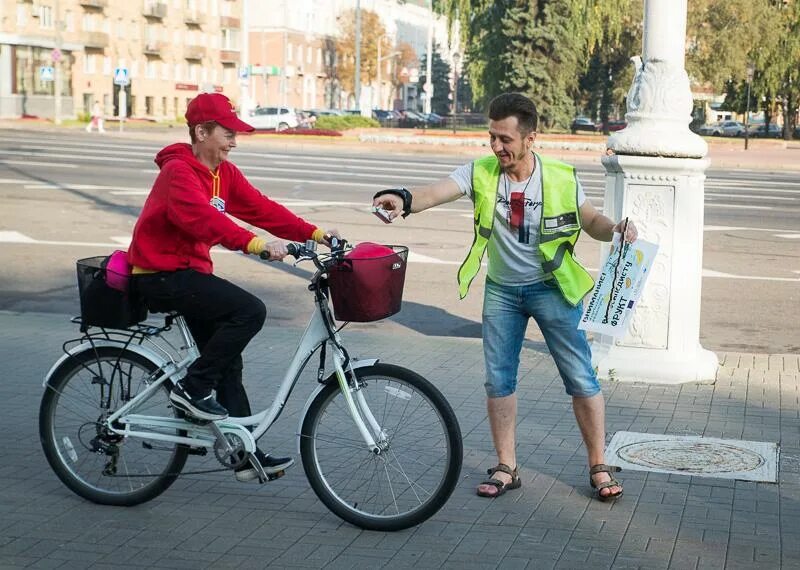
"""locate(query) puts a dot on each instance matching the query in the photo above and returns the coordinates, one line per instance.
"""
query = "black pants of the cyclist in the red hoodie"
(222, 319)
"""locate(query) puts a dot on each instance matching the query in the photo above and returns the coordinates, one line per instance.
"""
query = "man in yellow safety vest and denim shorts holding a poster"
(529, 211)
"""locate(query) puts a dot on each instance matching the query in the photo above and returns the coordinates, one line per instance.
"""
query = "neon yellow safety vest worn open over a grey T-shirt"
(558, 230)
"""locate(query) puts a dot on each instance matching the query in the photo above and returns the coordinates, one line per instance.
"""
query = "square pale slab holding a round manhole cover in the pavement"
(694, 455)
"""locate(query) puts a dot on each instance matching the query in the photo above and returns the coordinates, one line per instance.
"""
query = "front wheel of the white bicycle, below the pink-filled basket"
(418, 467)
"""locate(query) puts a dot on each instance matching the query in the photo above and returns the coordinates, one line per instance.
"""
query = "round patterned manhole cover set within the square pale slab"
(691, 457)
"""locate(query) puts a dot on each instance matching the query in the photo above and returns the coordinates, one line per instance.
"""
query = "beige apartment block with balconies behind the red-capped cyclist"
(169, 50)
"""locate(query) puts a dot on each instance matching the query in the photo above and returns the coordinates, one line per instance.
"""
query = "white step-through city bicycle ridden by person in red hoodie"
(381, 446)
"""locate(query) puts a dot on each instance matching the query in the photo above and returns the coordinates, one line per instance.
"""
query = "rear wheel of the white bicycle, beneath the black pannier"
(92, 461)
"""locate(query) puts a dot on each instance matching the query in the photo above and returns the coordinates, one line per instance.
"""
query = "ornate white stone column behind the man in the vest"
(655, 173)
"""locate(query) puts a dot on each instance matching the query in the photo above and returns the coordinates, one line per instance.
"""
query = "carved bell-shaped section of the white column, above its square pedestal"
(659, 112)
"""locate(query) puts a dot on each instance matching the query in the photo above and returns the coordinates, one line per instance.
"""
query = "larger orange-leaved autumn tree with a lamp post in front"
(372, 31)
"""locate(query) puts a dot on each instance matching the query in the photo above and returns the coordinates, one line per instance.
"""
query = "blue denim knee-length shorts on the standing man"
(506, 310)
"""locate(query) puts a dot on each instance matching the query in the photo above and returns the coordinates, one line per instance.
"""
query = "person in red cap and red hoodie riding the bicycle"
(182, 218)
